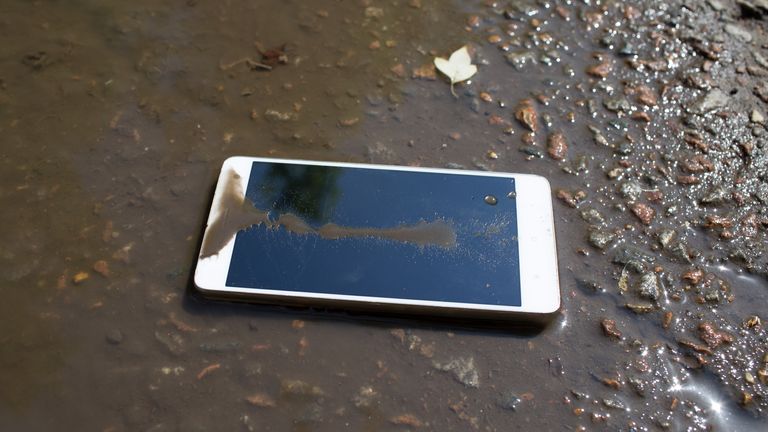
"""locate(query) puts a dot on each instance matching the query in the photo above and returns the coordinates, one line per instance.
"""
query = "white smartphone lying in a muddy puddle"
(376, 238)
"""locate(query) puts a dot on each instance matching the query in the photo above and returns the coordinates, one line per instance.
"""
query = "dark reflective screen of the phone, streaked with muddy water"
(380, 233)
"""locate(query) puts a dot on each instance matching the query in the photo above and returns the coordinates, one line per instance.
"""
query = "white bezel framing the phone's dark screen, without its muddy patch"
(539, 281)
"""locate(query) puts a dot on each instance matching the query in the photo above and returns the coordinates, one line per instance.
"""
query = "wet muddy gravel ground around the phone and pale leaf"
(647, 117)
